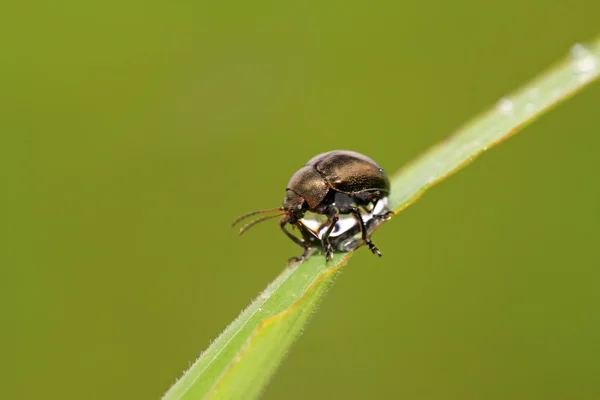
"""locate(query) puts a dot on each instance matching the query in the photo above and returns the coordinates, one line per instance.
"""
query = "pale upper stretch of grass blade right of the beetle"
(509, 115)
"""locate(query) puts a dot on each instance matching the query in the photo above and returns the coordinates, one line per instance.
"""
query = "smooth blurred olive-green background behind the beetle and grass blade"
(133, 132)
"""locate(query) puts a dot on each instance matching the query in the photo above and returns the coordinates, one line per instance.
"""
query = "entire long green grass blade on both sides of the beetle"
(241, 361)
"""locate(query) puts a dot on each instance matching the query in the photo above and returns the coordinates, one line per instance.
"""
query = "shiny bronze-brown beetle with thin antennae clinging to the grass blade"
(339, 182)
